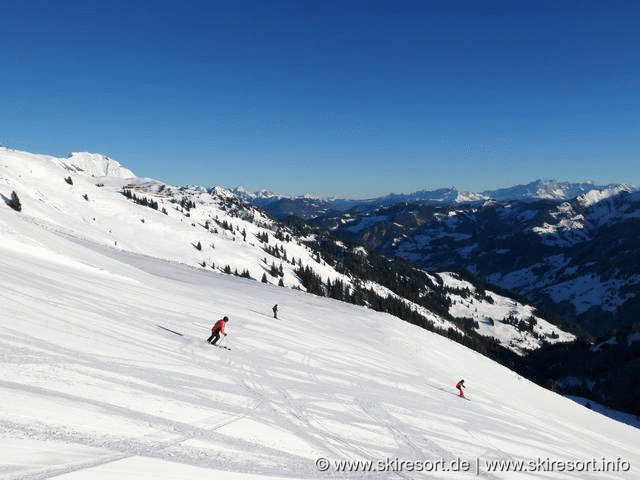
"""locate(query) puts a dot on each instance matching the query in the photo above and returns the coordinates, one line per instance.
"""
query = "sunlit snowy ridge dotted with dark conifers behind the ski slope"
(93, 198)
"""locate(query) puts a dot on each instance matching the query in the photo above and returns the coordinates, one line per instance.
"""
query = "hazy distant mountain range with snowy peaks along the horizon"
(306, 206)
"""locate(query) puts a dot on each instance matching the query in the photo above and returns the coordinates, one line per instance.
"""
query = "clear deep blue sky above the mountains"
(353, 99)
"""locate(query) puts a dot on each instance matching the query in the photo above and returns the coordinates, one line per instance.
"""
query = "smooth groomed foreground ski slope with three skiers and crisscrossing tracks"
(93, 388)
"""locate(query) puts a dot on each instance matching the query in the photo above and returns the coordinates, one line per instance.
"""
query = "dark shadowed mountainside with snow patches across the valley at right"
(576, 257)
